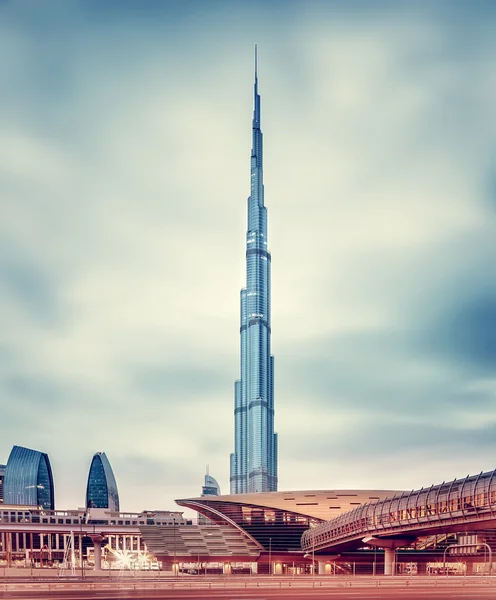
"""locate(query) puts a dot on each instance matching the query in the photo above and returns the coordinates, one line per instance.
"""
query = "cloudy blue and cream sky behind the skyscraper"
(124, 174)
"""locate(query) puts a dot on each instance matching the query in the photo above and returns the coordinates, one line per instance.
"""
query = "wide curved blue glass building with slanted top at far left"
(28, 479)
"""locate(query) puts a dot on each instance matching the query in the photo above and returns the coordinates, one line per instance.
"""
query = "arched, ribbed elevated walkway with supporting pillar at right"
(463, 505)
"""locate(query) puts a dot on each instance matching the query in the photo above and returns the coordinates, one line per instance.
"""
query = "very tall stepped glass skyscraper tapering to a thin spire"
(254, 460)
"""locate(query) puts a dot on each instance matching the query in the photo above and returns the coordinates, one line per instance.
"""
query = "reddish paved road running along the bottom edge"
(258, 589)
